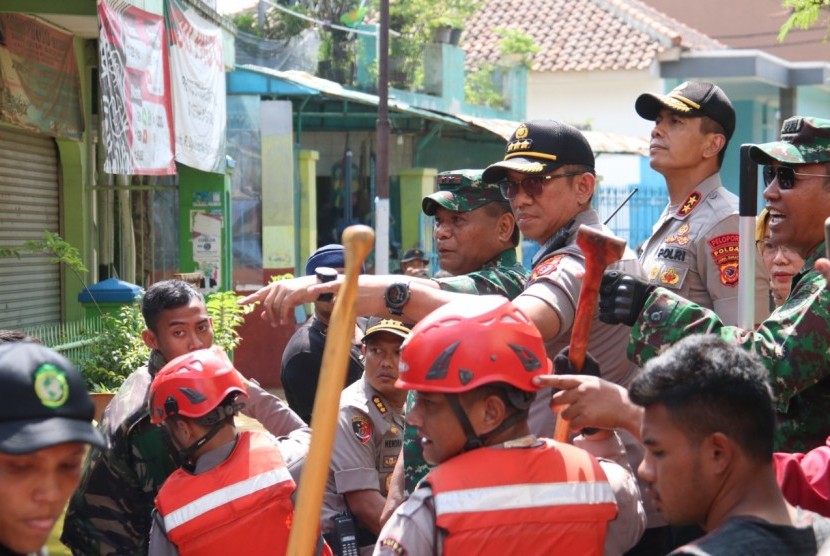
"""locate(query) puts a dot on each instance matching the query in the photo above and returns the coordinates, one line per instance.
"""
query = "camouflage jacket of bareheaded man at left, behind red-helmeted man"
(110, 511)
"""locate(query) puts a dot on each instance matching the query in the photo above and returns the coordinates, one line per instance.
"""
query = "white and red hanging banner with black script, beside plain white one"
(135, 91)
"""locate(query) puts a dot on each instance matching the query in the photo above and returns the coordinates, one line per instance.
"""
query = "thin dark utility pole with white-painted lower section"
(382, 147)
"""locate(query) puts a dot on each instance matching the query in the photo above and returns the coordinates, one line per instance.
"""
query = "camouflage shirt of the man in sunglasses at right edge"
(793, 343)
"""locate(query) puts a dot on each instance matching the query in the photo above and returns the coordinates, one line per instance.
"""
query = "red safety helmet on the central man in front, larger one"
(468, 343)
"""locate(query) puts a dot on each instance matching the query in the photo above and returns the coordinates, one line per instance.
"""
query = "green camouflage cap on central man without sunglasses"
(461, 191)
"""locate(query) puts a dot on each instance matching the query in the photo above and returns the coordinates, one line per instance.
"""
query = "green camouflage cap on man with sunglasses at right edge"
(803, 141)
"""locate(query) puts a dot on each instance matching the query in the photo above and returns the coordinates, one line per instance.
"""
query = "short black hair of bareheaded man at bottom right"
(709, 386)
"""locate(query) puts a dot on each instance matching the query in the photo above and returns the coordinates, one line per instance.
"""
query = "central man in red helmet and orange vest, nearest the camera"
(497, 489)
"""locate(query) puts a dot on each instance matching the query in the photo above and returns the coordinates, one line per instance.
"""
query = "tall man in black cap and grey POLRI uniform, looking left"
(693, 250)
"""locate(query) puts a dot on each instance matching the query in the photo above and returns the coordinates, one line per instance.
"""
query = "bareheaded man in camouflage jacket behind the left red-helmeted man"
(110, 511)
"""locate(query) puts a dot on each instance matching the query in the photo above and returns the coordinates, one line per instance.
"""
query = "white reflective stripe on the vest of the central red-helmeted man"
(518, 496)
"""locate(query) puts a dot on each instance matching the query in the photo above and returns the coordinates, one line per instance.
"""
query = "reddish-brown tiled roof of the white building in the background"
(581, 35)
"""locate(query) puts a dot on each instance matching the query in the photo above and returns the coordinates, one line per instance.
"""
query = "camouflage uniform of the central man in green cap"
(503, 276)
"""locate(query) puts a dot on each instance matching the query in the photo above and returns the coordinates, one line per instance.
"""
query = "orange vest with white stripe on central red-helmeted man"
(552, 498)
